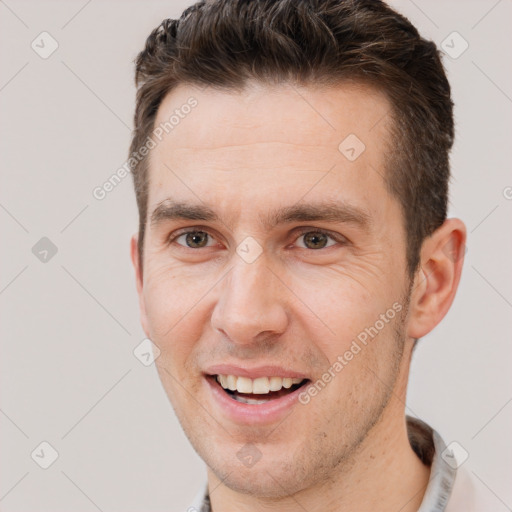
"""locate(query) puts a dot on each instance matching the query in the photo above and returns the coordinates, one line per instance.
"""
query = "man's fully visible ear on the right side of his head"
(437, 279)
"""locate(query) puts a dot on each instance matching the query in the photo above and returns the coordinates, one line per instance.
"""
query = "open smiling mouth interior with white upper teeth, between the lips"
(258, 391)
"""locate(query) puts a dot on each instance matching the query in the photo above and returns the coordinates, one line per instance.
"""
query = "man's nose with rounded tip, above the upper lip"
(251, 304)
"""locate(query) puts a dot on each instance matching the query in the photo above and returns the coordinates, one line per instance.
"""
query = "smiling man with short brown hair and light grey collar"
(290, 161)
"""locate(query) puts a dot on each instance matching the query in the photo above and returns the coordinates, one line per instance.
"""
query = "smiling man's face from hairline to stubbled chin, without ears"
(268, 288)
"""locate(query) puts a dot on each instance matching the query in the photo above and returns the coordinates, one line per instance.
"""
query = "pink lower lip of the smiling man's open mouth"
(252, 414)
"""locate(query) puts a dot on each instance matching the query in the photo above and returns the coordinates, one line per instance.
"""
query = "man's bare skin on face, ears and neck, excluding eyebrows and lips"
(244, 154)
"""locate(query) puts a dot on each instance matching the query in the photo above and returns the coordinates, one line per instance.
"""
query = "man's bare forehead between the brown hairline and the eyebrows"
(238, 149)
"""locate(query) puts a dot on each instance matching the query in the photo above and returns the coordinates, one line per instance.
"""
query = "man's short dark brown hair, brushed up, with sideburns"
(226, 43)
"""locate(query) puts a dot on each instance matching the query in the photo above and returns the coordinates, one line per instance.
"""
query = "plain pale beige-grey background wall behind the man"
(70, 324)
